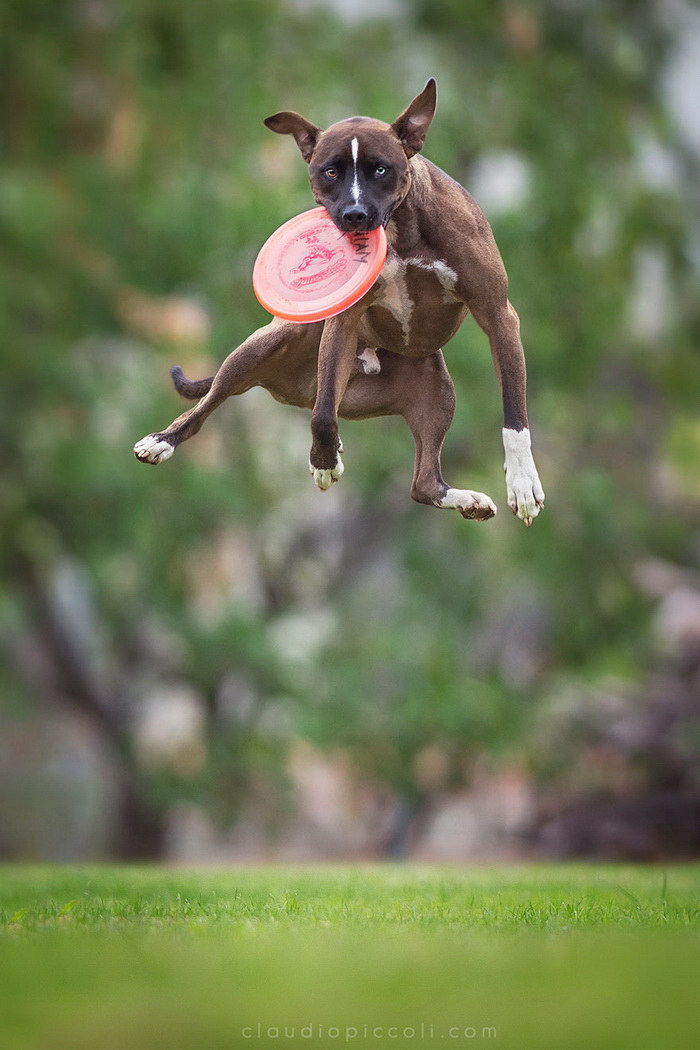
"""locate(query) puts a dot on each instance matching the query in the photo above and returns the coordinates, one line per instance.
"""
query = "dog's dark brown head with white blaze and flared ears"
(358, 169)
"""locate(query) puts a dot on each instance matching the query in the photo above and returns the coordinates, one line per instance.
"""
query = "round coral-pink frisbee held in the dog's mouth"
(308, 270)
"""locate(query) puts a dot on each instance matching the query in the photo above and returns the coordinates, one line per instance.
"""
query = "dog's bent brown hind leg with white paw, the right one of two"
(429, 408)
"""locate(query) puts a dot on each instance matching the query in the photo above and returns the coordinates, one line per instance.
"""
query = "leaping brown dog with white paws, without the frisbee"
(384, 356)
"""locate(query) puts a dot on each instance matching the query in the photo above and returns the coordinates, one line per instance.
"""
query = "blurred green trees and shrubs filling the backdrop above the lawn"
(204, 662)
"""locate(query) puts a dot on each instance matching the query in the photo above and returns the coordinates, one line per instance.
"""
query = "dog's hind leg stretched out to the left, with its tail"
(238, 374)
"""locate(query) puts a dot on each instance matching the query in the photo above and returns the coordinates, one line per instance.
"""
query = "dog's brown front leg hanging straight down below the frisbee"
(336, 356)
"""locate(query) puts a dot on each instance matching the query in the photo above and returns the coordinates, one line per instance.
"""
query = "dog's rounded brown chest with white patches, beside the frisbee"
(415, 309)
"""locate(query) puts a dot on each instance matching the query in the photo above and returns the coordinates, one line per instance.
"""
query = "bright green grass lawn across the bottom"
(542, 957)
